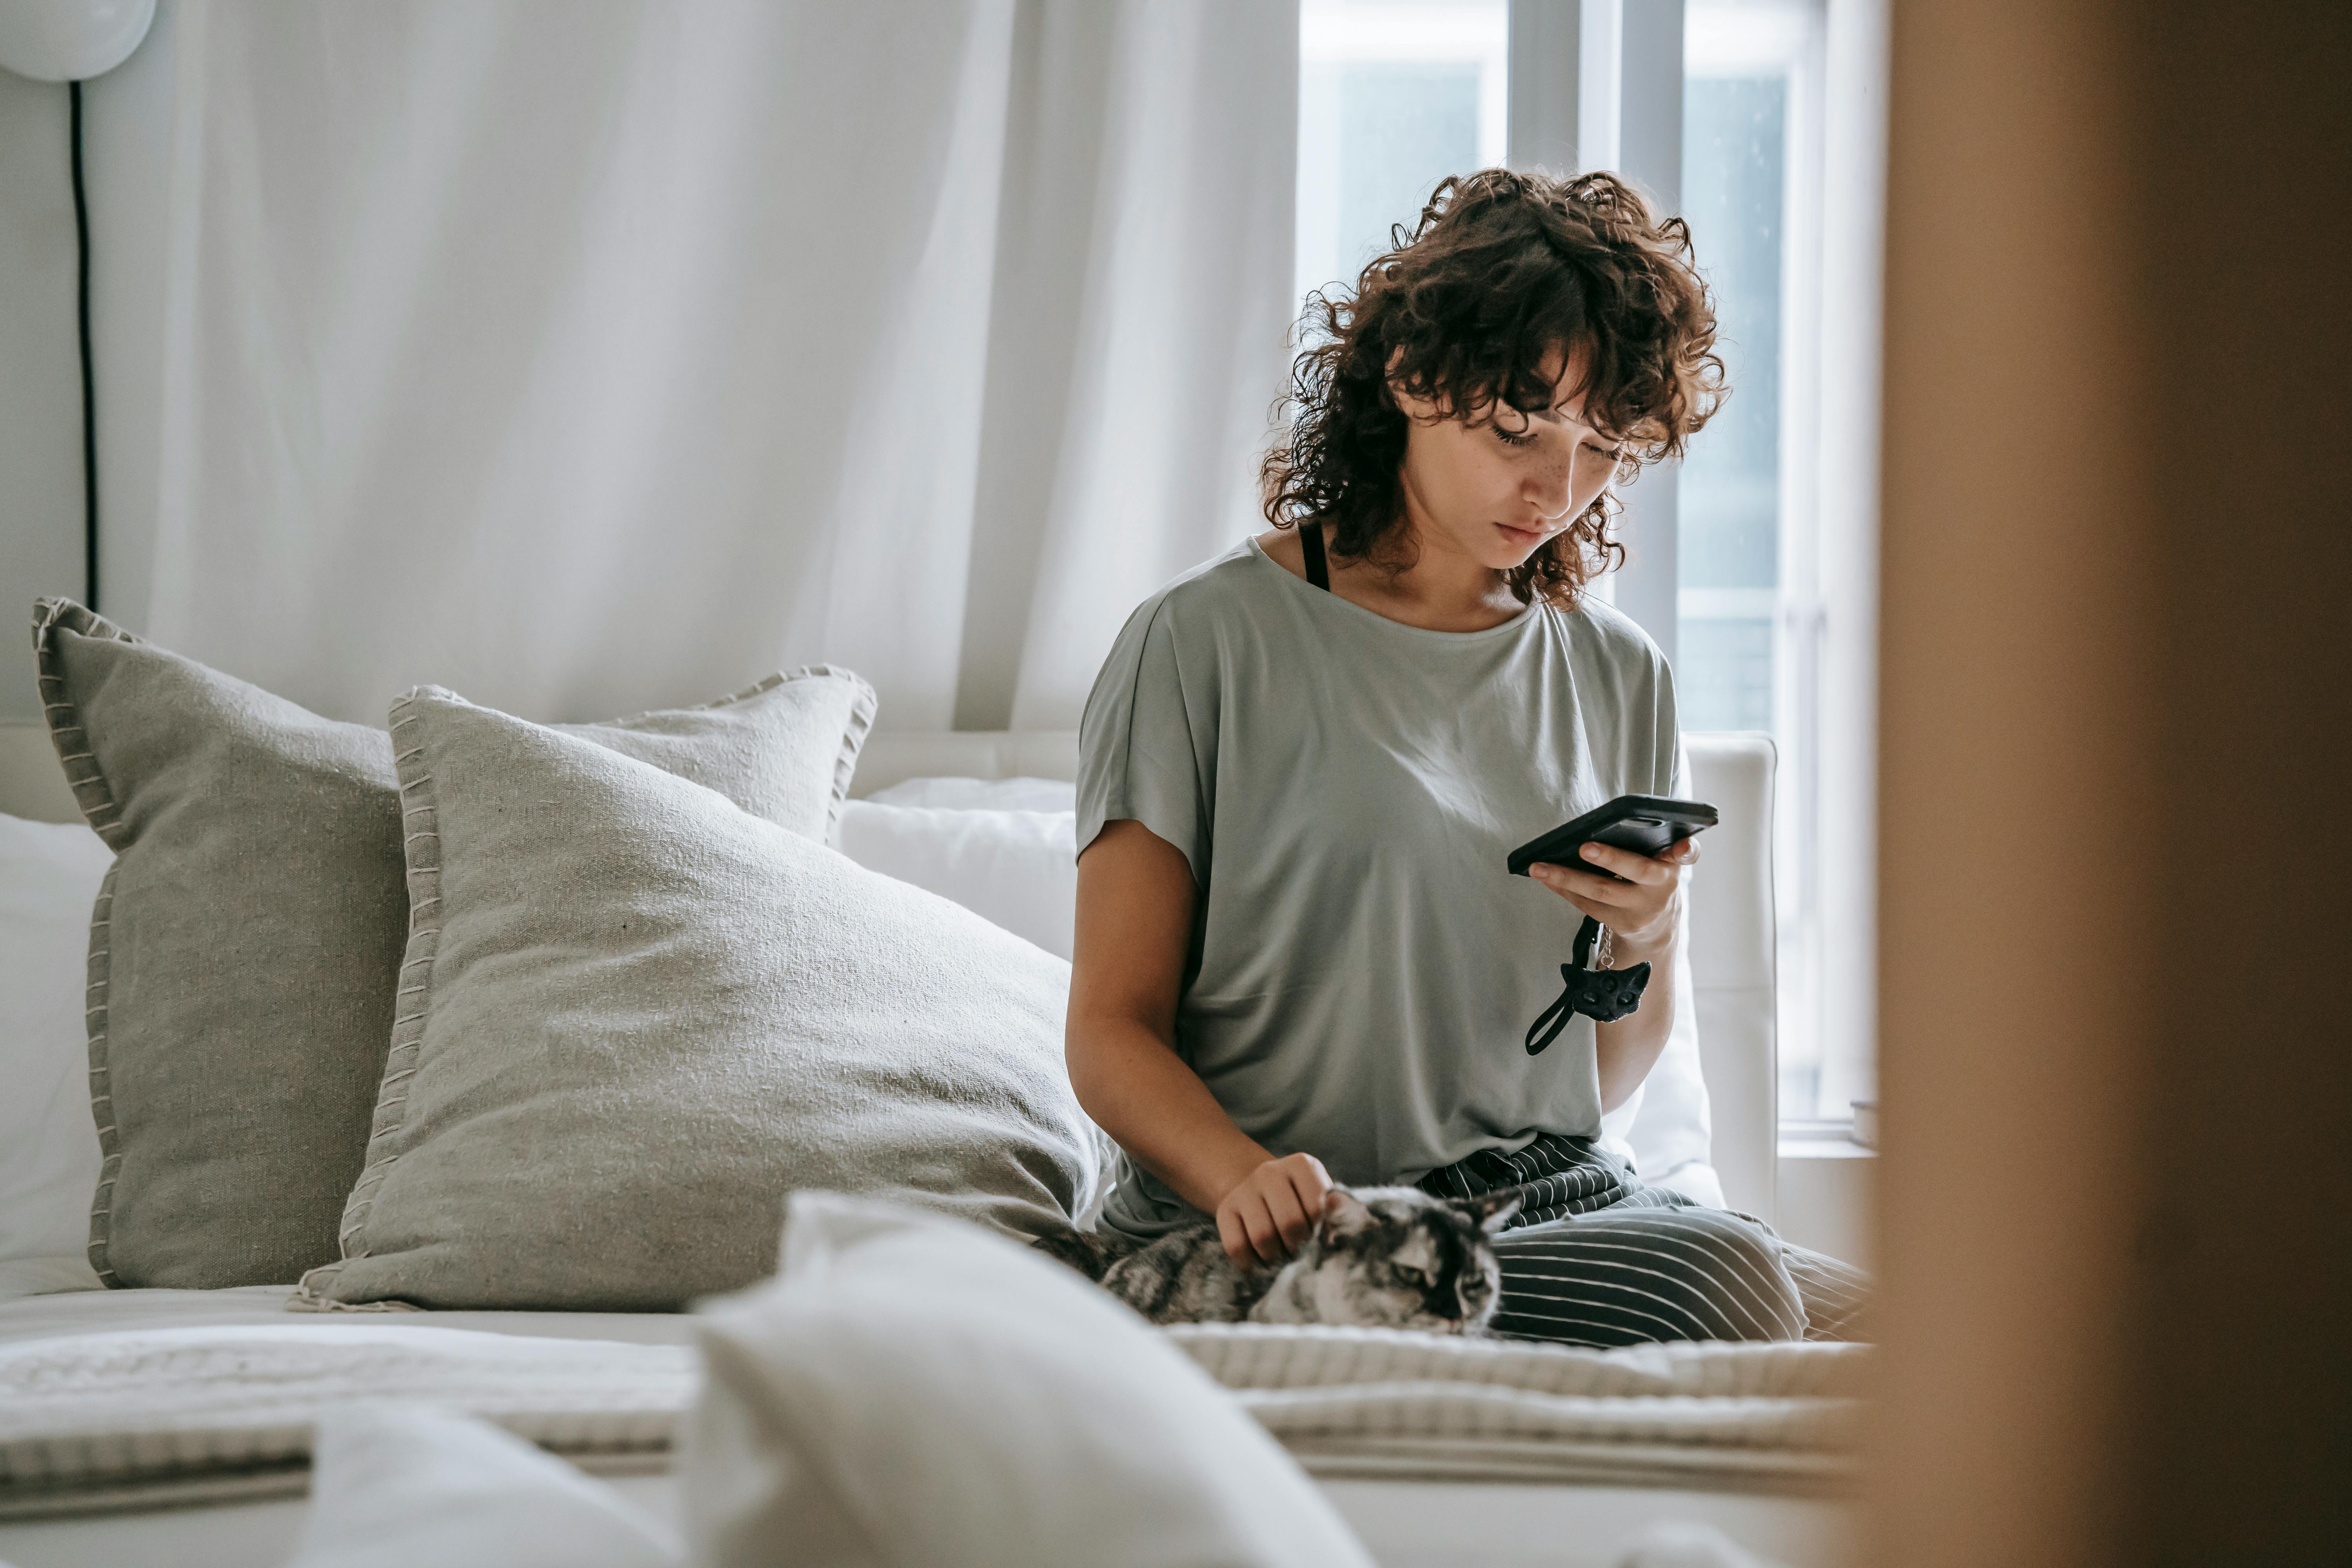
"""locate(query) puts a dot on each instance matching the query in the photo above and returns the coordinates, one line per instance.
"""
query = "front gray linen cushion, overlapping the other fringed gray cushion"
(639, 1017)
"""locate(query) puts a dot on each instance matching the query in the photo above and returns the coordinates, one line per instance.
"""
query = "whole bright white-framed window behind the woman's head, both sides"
(1772, 521)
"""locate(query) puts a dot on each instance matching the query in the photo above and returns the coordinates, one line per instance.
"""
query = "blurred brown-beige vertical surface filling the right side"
(2116, 855)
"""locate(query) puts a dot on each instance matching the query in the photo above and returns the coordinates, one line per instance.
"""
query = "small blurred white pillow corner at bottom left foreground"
(406, 1485)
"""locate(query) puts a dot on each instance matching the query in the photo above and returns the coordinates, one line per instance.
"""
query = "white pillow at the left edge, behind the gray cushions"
(51, 876)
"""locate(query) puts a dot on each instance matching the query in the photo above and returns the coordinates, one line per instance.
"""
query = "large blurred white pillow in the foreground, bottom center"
(914, 1391)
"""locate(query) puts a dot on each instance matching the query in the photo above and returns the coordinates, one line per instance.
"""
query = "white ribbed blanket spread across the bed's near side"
(147, 1414)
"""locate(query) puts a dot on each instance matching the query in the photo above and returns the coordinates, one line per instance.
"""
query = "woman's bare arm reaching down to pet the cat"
(1135, 930)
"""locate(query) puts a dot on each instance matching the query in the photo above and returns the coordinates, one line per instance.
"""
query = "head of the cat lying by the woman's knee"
(1403, 1259)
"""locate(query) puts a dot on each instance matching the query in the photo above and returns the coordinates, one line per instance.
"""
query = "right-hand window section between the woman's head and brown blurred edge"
(1751, 601)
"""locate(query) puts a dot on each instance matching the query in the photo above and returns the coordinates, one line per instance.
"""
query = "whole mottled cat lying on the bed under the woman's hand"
(1377, 1259)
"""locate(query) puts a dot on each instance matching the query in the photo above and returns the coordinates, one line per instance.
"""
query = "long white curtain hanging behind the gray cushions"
(606, 356)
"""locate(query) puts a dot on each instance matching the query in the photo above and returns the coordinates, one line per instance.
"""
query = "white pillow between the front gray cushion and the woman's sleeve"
(1015, 869)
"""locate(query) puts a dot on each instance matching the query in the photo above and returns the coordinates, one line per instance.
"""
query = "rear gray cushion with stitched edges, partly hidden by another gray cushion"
(246, 946)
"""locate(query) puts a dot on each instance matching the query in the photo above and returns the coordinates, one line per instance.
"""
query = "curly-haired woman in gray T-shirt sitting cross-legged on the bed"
(1299, 960)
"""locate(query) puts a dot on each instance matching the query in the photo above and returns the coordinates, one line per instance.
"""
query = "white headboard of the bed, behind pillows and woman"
(1732, 902)
